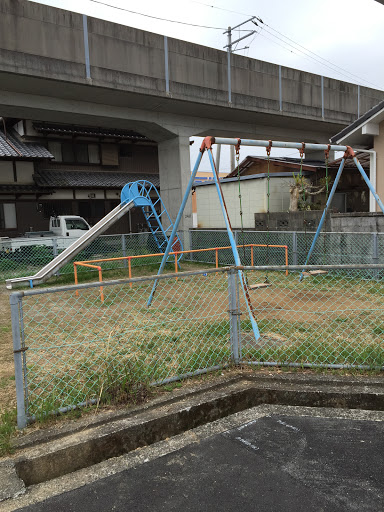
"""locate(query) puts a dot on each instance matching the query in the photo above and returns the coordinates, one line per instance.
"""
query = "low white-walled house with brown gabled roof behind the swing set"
(258, 178)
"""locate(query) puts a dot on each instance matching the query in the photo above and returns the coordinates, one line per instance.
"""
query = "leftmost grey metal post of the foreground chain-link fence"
(15, 302)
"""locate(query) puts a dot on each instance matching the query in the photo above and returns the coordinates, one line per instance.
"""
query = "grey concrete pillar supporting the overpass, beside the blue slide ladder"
(175, 171)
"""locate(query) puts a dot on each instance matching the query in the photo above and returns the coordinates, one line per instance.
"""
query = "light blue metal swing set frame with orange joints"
(206, 145)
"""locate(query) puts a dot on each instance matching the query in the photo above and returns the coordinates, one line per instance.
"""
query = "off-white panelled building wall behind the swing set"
(253, 198)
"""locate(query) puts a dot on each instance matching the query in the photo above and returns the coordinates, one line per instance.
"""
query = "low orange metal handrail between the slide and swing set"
(174, 253)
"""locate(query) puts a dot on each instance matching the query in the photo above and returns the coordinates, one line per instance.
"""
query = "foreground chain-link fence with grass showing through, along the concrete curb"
(73, 349)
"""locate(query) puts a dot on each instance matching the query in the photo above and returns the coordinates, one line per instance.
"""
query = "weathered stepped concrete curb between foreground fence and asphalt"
(43, 456)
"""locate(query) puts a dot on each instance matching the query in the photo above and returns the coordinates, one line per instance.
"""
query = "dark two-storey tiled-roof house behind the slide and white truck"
(63, 169)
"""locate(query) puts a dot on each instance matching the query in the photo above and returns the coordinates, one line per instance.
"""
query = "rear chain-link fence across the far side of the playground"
(25, 257)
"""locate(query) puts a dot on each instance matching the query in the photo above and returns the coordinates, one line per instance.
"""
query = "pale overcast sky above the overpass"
(342, 39)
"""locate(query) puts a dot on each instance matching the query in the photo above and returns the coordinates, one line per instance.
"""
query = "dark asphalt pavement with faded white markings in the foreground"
(271, 463)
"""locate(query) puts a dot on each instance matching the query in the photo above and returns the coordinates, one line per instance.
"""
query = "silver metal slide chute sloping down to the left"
(71, 251)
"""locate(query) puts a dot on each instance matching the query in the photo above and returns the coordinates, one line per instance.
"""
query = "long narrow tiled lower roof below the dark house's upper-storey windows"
(84, 179)
